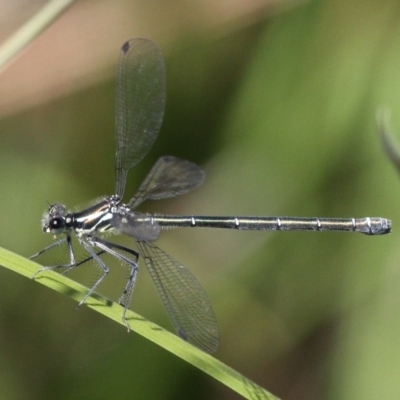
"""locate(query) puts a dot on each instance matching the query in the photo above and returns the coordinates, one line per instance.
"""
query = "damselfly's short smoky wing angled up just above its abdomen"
(169, 177)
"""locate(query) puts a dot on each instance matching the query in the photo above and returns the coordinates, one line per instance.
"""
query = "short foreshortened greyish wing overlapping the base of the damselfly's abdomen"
(139, 226)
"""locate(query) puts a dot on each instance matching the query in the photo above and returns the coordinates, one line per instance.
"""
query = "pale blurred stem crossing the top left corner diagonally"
(32, 29)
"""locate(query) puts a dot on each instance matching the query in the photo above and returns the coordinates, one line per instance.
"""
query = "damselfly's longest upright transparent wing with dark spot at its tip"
(140, 104)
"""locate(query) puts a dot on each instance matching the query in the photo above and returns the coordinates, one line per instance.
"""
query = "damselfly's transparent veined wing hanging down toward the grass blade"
(184, 298)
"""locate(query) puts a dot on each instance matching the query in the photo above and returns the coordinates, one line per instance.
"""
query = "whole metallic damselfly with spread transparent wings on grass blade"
(140, 103)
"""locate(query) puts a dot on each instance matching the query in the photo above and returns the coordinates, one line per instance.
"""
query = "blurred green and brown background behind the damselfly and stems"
(277, 101)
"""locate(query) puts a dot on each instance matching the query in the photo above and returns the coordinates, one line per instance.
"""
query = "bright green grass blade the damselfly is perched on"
(140, 325)
